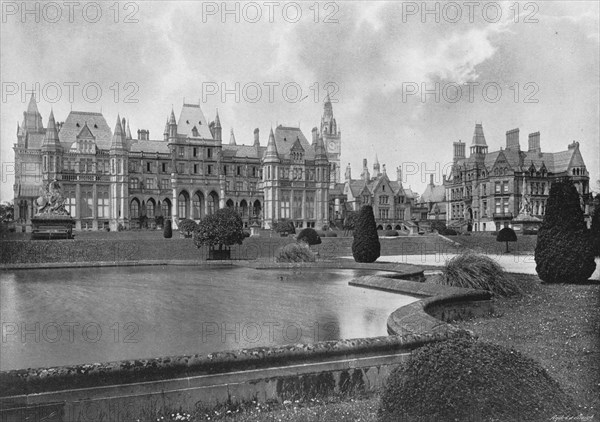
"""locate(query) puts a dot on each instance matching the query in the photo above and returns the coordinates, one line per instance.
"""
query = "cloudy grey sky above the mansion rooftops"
(531, 65)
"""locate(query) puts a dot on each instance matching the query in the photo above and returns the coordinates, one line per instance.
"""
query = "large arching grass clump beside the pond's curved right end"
(476, 271)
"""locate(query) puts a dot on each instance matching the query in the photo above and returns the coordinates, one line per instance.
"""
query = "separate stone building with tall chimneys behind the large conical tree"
(484, 192)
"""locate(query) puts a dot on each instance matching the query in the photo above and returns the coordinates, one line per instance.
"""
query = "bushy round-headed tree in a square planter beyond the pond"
(219, 231)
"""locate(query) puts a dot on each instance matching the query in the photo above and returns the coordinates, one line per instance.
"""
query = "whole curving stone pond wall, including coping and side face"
(107, 390)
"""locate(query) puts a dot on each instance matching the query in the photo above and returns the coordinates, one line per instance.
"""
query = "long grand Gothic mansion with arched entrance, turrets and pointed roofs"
(112, 180)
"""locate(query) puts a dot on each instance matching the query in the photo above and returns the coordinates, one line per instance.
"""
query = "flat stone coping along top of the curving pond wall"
(410, 327)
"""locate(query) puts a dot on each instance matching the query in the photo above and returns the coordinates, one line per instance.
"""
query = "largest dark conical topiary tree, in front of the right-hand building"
(563, 252)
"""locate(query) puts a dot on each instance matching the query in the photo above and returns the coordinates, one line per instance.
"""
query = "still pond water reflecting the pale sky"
(72, 316)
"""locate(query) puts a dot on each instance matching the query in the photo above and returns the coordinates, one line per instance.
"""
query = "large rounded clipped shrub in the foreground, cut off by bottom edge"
(465, 379)
